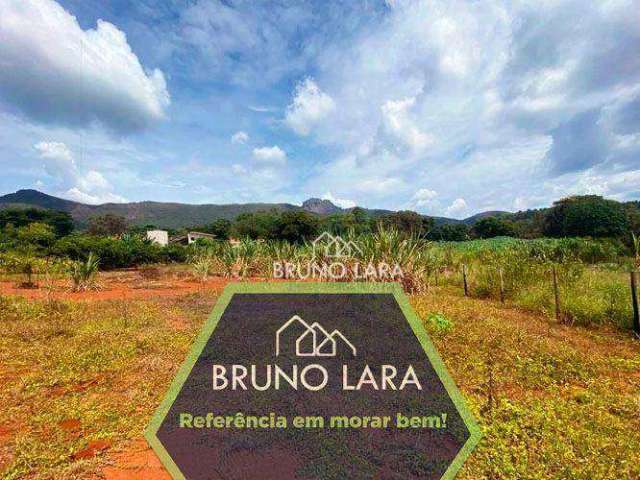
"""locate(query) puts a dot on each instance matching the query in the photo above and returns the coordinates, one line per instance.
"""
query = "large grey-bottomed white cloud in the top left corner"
(54, 71)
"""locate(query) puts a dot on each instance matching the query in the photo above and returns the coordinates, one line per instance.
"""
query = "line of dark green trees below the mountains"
(577, 216)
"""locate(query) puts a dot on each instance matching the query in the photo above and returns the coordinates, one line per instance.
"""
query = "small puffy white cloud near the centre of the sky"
(309, 107)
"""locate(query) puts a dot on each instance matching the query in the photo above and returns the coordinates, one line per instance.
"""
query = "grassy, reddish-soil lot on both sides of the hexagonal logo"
(82, 374)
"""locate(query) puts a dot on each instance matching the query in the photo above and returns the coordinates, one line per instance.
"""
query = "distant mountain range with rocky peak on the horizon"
(178, 215)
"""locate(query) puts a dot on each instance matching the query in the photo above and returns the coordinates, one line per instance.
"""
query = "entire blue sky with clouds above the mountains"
(443, 107)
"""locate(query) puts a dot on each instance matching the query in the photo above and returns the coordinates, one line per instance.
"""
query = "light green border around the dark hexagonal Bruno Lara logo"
(308, 287)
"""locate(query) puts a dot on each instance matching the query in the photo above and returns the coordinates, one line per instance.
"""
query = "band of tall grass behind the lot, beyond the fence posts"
(591, 277)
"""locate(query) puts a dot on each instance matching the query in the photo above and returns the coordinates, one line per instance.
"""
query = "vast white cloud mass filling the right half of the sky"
(446, 89)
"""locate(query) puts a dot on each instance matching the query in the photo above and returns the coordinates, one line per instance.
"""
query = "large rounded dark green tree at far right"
(586, 216)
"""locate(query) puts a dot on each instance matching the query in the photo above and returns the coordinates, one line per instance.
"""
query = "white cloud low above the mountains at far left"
(86, 187)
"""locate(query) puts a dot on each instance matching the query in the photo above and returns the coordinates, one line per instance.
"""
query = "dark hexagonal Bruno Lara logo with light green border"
(313, 381)
